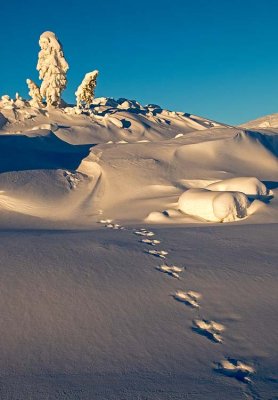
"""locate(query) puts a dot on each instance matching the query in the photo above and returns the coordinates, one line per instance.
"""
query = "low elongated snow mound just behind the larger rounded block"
(249, 185)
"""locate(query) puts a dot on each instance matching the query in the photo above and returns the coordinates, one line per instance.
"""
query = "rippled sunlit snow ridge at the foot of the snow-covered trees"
(107, 120)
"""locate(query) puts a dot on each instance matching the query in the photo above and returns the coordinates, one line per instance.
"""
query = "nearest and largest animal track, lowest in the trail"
(235, 369)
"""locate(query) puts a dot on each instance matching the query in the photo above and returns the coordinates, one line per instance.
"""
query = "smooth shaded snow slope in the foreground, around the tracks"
(86, 315)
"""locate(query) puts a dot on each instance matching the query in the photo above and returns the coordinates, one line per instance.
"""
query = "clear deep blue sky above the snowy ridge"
(214, 58)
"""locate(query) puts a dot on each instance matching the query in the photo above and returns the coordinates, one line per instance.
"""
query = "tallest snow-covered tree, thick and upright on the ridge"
(52, 67)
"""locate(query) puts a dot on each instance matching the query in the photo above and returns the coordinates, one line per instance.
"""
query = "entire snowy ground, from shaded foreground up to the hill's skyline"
(111, 290)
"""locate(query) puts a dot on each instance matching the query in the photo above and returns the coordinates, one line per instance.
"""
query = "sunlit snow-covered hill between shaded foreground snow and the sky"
(123, 160)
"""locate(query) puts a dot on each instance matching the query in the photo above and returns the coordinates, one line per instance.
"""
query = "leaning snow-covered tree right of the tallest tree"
(86, 90)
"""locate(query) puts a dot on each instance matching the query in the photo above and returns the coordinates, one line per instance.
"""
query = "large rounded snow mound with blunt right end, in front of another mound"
(214, 206)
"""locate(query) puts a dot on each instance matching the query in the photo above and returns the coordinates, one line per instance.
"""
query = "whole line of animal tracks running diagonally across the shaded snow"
(211, 330)
